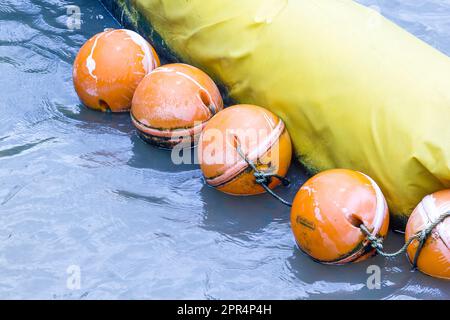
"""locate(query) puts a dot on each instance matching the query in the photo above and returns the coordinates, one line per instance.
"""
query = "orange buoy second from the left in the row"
(173, 103)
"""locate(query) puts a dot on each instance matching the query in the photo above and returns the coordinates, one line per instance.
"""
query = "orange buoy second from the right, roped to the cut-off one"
(328, 210)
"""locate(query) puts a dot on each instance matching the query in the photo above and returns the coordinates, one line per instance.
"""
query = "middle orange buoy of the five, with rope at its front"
(262, 139)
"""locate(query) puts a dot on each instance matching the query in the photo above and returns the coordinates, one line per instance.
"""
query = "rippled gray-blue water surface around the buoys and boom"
(79, 189)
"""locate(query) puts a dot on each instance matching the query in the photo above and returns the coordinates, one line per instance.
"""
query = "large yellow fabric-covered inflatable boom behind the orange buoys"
(355, 90)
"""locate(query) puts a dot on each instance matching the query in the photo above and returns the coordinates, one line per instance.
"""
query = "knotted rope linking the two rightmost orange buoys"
(421, 236)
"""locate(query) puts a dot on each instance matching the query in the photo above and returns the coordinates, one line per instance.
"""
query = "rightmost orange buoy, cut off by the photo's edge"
(434, 256)
